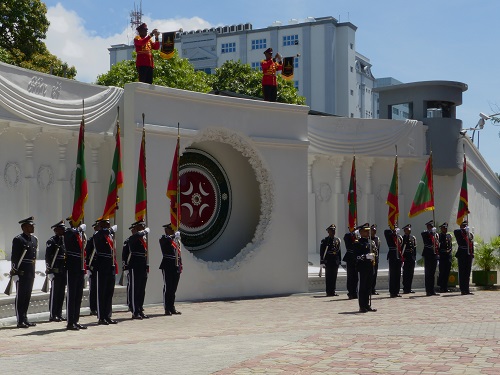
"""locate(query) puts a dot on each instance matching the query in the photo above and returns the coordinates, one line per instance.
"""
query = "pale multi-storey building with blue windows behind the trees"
(329, 73)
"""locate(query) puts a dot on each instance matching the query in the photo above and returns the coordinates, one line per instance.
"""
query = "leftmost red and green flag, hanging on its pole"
(81, 190)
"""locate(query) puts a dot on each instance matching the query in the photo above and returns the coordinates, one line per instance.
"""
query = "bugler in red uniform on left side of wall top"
(143, 46)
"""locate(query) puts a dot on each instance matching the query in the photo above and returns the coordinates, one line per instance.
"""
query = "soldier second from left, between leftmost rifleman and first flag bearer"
(55, 262)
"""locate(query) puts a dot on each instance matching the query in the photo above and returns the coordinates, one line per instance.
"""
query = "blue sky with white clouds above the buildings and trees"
(453, 40)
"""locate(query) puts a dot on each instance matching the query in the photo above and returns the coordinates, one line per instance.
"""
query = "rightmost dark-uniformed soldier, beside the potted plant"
(465, 255)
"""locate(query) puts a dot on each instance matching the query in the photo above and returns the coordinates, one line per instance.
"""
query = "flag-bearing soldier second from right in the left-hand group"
(136, 250)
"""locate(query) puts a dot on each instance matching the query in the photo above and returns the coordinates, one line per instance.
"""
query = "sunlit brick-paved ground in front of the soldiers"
(299, 334)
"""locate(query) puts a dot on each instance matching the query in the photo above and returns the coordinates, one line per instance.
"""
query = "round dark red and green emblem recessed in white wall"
(205, 199)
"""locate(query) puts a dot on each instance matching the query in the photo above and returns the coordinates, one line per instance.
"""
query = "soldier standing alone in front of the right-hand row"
(365, 258)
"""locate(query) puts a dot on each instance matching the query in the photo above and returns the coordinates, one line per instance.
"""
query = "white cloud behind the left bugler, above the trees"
(68, 39)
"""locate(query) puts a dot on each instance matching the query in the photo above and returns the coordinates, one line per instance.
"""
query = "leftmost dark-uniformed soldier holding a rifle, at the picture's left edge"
(24, 249)
